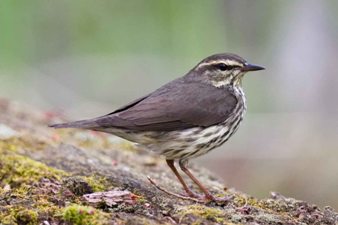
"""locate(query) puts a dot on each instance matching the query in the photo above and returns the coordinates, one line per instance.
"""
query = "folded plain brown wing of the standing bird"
(177, 105)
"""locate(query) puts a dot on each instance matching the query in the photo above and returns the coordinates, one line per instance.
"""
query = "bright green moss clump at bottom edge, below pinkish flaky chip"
(78, 215)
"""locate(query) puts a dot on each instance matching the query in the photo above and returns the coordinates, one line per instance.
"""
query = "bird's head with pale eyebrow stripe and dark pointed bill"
(224, 69)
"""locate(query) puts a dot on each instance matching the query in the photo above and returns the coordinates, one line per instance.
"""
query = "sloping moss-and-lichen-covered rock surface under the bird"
(52, 176)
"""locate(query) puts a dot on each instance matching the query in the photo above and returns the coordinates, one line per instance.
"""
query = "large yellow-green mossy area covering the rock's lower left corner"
(31, 191)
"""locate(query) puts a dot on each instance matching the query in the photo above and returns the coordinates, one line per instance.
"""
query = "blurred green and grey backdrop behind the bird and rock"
(85, 58)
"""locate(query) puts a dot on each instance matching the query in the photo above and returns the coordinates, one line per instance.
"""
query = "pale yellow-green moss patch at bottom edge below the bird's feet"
(204, 212)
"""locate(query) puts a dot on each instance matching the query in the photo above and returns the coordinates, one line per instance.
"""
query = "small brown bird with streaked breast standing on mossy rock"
(185, 118)
